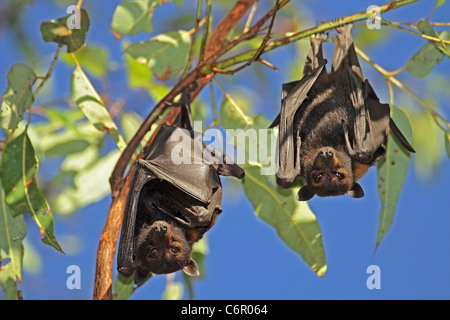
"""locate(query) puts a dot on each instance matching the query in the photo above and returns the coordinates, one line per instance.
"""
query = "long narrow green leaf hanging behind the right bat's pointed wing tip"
(391, 171)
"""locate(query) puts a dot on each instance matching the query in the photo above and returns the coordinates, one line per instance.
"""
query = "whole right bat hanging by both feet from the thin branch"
(332, 125)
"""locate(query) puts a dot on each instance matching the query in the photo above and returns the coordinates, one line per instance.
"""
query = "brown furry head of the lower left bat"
(163, 248)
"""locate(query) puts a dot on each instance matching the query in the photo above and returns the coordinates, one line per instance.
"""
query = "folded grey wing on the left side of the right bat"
(294, 93)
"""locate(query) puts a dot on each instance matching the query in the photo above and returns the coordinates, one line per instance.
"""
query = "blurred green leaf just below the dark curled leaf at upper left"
(93, 59)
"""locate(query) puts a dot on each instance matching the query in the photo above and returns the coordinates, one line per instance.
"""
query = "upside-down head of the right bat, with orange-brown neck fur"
(329, 173)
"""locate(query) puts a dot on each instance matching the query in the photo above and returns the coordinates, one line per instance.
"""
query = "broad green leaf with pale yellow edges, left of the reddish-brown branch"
(165, 55)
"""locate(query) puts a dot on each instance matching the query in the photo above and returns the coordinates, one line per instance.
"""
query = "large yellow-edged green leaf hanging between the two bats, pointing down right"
(295, 223)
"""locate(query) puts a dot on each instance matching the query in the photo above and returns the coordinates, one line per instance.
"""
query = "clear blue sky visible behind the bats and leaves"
(246, 258)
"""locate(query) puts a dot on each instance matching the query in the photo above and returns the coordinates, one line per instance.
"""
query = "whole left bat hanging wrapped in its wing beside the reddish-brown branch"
(170, 206)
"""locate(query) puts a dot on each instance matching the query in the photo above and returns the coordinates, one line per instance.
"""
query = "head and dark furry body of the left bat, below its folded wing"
(164, 244)
